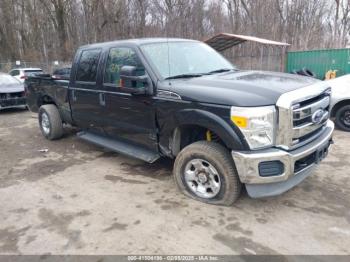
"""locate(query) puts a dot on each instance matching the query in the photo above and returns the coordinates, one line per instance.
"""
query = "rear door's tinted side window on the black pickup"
(87, 67)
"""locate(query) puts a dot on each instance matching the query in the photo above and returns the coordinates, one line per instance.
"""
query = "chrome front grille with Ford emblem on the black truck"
(303, 114)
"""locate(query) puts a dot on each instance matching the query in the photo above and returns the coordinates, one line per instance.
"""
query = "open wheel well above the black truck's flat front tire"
(188, 134)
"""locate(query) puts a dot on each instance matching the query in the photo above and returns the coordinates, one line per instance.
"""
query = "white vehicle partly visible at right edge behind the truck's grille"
(340, 101)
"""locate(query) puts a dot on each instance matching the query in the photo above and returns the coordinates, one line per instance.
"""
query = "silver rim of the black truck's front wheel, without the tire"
(202, 178)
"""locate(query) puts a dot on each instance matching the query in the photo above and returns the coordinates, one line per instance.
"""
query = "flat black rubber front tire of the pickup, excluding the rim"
(220, 158)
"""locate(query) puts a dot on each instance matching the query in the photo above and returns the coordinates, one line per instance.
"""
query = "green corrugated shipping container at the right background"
(320, 61)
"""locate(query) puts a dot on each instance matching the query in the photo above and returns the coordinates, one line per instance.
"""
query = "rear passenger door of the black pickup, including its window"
(84, 90)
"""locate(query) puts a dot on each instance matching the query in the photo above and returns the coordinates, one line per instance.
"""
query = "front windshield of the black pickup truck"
(185, 58)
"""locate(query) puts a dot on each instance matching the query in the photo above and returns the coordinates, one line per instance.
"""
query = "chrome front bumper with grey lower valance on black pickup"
(247, 164)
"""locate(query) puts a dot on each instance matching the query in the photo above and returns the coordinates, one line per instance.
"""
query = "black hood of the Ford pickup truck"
(242, 88)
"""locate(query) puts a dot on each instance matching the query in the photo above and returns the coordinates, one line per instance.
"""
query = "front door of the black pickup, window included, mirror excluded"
(130, 117)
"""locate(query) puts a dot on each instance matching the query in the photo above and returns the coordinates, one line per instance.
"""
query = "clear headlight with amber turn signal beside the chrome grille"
(256, 123)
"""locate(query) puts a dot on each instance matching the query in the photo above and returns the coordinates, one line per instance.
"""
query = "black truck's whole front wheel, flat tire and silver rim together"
(206, 172)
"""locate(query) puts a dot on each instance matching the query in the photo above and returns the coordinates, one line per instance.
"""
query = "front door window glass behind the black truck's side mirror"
(117, 58)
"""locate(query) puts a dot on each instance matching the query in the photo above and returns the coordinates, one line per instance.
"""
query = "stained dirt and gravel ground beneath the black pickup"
(78, 199)
